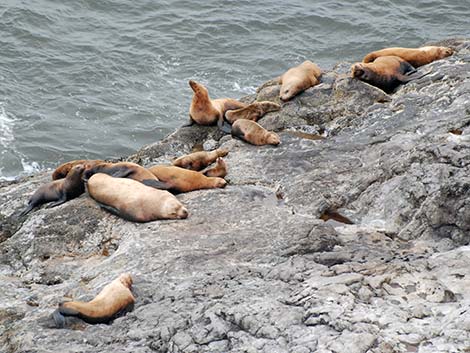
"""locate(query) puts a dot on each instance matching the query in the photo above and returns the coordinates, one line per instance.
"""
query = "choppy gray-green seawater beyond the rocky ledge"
(101, 78)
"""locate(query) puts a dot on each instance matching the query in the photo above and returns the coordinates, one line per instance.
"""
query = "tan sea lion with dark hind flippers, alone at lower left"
(113, 299)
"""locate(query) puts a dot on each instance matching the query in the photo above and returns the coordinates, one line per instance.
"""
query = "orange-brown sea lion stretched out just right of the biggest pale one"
(184, 180)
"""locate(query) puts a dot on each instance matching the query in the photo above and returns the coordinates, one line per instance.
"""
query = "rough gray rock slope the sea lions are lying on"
(351, 236)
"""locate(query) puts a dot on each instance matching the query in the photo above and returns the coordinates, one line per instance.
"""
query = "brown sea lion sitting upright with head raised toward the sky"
(206, 111)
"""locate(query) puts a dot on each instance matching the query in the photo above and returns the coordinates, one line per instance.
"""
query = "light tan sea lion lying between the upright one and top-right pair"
(298, 79)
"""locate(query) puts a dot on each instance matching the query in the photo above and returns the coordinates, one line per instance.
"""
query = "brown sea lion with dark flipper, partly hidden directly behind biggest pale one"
(124, 170)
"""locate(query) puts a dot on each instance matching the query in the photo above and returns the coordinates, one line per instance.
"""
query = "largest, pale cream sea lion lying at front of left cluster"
(132, 200)
